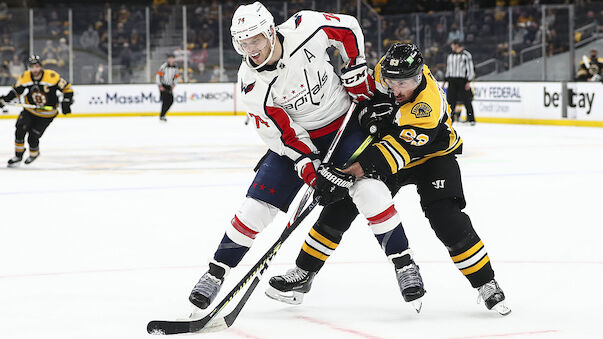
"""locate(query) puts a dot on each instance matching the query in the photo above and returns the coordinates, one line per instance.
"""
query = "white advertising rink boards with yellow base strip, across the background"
(550, 103)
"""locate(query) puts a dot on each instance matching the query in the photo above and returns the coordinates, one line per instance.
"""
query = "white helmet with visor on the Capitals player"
(251, 20)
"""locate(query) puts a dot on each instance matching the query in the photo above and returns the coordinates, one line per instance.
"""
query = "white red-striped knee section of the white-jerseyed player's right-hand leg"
(374, 200)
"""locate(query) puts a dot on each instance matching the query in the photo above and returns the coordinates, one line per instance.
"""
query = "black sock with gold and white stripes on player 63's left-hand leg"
(320, 243)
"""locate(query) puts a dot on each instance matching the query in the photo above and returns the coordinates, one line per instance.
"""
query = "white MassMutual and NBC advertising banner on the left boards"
(144, 99)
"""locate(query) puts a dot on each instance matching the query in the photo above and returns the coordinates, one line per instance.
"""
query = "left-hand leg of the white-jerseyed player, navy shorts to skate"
(273, 188)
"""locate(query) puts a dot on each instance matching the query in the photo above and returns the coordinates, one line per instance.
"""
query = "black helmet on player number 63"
(402, 61)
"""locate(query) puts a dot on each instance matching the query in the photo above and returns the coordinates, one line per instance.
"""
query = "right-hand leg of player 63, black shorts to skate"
(442, 199)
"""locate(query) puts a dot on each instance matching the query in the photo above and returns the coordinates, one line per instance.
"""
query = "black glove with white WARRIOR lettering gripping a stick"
(332, 184)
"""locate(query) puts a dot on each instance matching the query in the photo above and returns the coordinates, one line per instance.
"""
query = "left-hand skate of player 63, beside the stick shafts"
(291, 286)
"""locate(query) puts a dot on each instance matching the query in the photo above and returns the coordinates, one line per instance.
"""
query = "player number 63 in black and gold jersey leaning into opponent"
(417, 145)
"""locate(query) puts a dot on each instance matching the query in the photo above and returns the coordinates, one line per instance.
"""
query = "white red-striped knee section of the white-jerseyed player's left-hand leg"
(251, 218)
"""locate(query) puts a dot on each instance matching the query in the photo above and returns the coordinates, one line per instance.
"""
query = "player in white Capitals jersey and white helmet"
(296, 102)
